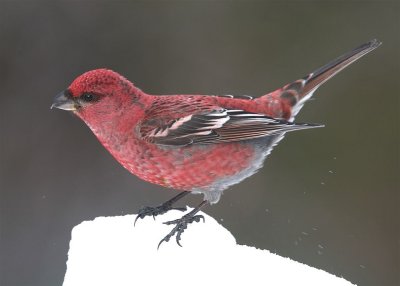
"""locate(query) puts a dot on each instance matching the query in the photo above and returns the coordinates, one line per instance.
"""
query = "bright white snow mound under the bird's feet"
(111, 251)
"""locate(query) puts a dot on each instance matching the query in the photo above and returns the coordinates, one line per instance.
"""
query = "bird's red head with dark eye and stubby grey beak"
(98, 95)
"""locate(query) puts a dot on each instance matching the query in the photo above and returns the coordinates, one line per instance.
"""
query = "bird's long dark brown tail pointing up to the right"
(299, 91)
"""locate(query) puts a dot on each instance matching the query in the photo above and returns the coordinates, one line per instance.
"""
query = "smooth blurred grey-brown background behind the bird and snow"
(328, 197)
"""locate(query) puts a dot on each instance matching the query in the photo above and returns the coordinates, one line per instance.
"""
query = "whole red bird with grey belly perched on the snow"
(191, 143)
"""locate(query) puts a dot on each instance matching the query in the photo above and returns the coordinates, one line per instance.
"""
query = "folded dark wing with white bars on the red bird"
(218, 126)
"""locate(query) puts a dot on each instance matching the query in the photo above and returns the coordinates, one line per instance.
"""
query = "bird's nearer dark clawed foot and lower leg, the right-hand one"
(182, 223)
